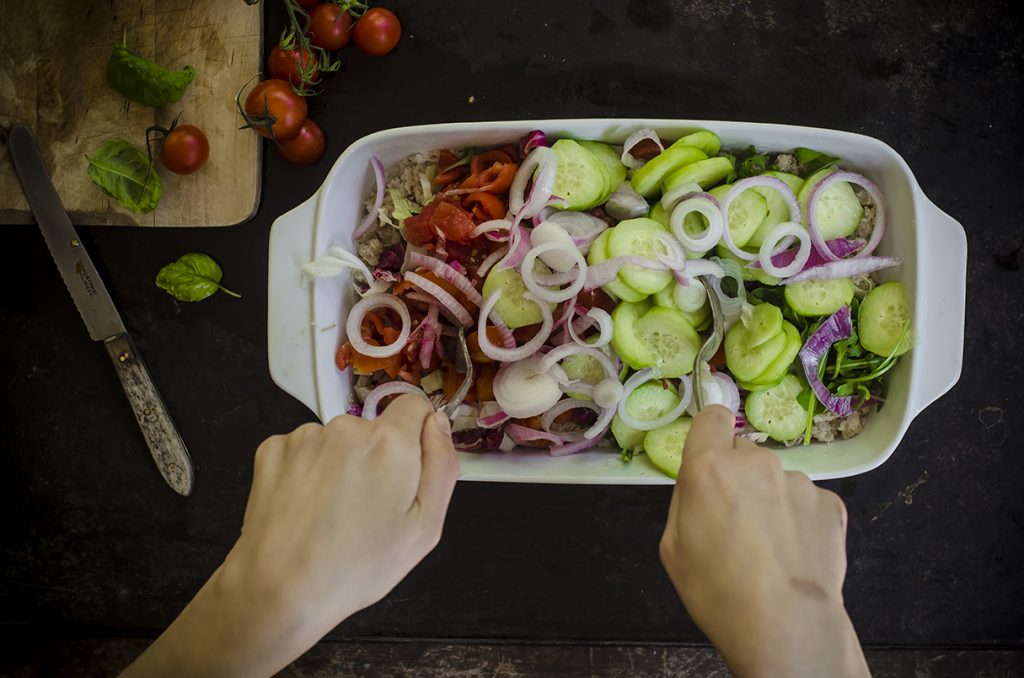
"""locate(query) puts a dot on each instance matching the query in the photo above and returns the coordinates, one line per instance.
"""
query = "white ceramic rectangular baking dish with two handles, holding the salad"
(306, 324)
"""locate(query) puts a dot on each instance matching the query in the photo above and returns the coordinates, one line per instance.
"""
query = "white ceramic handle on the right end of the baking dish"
(941, 318)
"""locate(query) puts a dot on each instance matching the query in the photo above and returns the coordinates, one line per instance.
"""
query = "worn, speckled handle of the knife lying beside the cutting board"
(165, 444)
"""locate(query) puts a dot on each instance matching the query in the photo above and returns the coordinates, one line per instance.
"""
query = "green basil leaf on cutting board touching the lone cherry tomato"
(126, 175)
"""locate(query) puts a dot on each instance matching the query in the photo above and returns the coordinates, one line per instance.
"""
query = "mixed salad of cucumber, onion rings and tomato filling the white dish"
(558, 293)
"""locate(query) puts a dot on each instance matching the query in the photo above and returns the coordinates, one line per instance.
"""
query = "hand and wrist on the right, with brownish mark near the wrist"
(758, 557)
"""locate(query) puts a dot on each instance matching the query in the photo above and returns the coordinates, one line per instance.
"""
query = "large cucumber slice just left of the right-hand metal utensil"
(659, 338)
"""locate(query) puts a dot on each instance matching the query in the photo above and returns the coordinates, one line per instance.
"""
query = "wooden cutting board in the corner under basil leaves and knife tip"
(54, 80)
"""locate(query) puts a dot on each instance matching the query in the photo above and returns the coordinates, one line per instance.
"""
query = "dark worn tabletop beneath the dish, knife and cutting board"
(97, 548)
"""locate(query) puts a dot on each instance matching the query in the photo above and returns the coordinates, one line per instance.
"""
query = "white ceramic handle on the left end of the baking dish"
(290, 305)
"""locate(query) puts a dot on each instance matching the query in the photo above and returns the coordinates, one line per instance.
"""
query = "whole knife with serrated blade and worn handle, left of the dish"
(101, 316)
